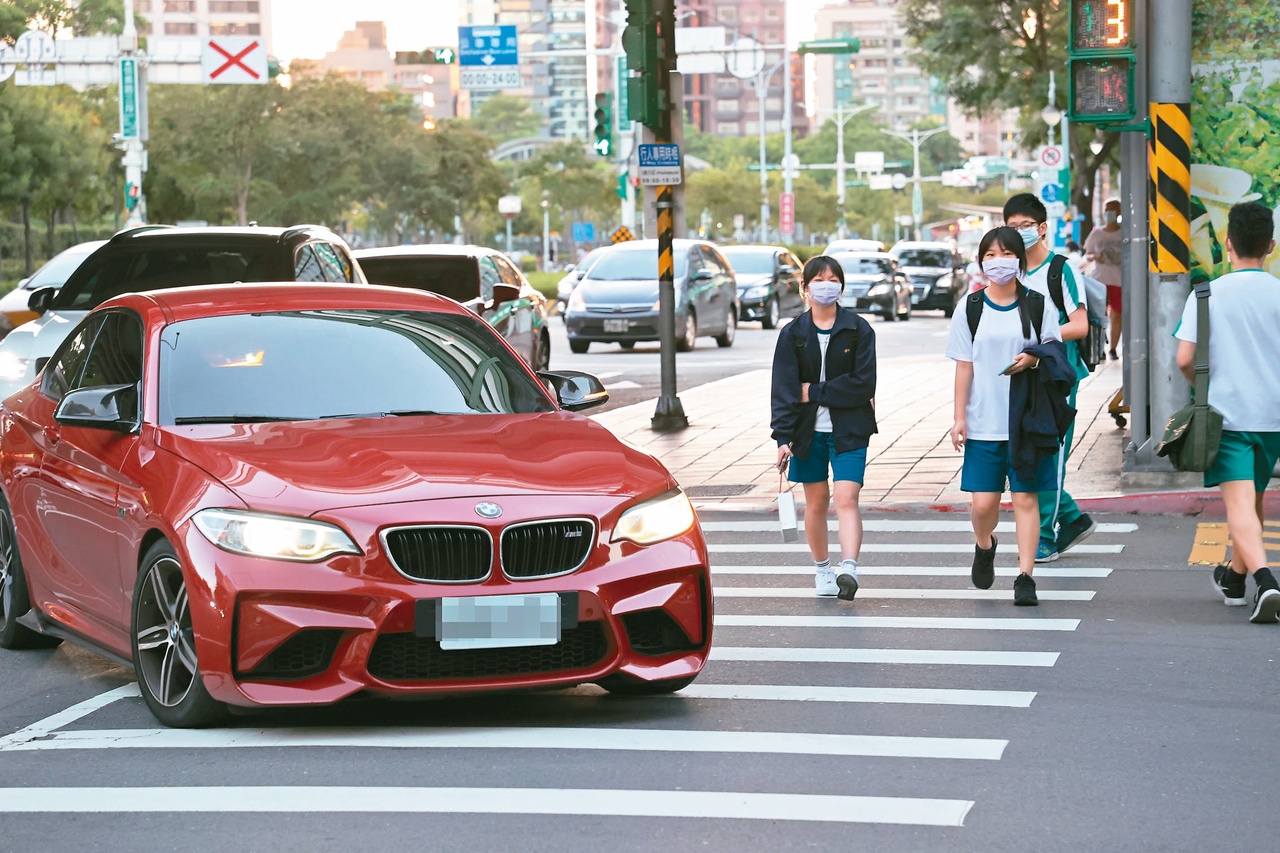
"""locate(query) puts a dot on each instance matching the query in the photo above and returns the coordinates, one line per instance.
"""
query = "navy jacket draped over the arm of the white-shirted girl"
(1039, 413)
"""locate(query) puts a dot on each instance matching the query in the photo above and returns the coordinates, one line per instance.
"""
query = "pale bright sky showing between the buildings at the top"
(310, 29)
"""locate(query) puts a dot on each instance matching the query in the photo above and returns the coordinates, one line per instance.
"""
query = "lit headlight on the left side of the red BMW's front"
(277, 537)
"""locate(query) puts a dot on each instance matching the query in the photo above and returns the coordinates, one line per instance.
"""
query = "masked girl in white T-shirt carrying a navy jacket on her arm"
(990, 341)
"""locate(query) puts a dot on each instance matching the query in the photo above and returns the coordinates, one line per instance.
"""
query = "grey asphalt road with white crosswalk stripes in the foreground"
(1131, 711)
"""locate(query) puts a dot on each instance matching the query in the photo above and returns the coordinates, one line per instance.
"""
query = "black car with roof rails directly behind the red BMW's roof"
(162, 257)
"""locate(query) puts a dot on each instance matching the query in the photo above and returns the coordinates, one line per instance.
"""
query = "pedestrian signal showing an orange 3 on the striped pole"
(1101, 62)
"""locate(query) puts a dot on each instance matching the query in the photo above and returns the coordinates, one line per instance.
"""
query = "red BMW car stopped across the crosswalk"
(287, 495)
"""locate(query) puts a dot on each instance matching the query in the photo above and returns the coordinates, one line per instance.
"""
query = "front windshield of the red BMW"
(308, 366)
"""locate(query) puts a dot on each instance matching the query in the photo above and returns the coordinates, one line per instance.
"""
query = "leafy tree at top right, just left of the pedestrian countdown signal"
(996, 54)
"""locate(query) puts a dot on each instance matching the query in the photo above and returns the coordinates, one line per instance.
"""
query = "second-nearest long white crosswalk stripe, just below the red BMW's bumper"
(796, 743)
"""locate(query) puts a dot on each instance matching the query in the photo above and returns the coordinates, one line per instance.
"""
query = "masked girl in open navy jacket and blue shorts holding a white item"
(822, 417)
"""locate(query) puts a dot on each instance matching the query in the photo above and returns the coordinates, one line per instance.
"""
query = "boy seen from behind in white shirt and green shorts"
(1245, 389)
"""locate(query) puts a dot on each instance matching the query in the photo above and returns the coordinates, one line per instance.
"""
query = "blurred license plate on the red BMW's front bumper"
(499, 622)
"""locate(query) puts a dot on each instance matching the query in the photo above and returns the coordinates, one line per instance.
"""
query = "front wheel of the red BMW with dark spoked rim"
(164, 645)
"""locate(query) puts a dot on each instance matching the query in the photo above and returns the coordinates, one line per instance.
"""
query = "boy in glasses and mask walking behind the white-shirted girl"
(1063, 524)
